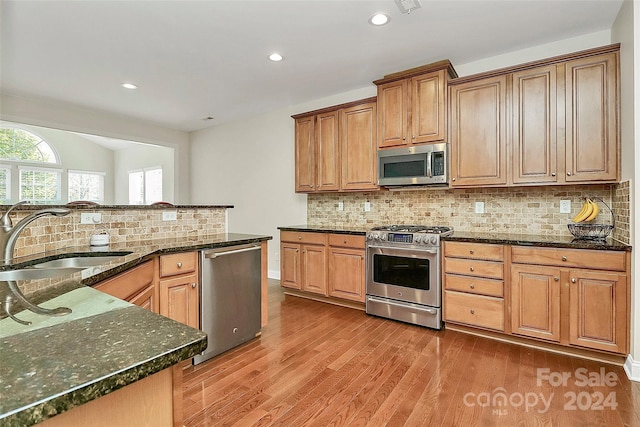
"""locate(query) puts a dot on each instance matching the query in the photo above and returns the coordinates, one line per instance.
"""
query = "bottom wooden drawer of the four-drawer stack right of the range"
(475, 310)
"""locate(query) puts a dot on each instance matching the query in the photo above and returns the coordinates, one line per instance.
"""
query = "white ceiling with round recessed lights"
(193, 59)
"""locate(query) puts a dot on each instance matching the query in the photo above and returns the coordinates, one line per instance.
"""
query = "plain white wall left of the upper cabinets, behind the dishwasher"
(250, 165)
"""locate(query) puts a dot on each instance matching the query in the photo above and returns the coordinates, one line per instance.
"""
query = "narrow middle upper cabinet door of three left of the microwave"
(328, 155)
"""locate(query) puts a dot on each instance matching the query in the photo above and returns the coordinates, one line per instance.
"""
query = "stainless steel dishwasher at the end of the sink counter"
(230, 310)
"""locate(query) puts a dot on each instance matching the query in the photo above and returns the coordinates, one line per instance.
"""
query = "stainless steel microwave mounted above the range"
(420, 165)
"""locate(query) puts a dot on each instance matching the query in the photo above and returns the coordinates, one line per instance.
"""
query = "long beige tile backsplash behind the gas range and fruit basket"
(528, 210)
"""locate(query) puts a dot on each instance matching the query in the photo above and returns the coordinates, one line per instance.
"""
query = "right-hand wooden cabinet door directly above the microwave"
(428, 108)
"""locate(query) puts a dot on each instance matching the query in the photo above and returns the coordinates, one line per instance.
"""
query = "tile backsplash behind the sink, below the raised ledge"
(123, 225)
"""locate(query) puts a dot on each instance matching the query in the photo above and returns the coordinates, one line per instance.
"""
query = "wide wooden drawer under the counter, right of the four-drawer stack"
(580, 258)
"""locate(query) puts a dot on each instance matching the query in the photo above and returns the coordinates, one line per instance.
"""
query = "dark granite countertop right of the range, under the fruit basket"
(537, 240)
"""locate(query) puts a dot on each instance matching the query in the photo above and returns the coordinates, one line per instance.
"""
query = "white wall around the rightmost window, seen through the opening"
(141, 156)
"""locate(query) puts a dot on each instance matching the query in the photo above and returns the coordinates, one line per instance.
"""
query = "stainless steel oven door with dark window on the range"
(410, 275)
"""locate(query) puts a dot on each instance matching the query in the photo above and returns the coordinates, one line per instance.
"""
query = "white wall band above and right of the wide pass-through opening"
(58, 115)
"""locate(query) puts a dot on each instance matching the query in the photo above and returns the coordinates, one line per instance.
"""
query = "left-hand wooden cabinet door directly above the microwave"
(392, 114)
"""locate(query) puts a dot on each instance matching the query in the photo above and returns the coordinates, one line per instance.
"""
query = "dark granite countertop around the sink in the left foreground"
(57, 363)
